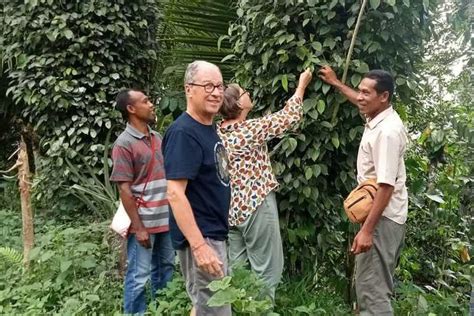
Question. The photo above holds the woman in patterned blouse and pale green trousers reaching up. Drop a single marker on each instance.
(254, 234)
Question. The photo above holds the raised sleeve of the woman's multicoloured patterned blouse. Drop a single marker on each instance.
(277, 123)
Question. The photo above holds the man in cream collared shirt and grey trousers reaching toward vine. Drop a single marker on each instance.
(378, 243)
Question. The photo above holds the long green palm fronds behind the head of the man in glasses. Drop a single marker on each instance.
(191, 30)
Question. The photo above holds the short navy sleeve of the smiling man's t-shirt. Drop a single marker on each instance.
(182, 155)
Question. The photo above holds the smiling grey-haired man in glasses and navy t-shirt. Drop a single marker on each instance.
(198, 186)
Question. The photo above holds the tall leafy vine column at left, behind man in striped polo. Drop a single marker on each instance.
(67, 61)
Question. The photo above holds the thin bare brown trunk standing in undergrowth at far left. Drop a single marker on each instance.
(26, 209)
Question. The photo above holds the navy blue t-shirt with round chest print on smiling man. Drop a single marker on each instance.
(194, 151)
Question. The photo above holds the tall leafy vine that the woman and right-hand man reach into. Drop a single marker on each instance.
(273, 42)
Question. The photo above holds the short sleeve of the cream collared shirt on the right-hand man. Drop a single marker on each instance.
(387, 152)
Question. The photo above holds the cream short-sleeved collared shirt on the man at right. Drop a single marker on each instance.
(380, 156)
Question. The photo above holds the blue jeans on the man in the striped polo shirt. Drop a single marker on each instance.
(156, 264)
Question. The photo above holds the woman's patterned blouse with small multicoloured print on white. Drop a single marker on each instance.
(250, 168)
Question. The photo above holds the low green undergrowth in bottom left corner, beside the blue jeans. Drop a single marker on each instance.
(72, 271)
